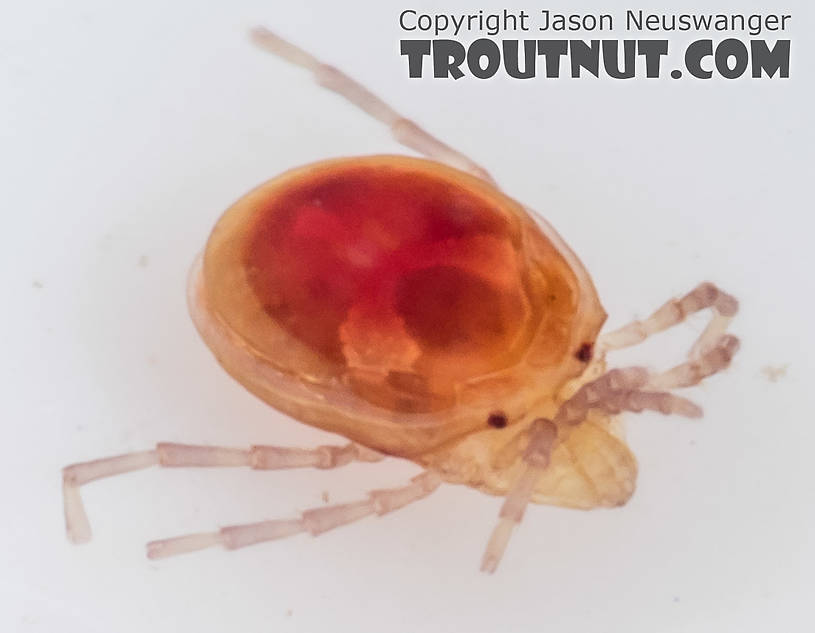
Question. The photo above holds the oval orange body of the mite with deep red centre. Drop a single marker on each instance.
(396, 300)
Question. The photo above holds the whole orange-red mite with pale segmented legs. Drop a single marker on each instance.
(411, 306)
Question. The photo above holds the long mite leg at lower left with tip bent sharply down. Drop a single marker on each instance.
(175, 455)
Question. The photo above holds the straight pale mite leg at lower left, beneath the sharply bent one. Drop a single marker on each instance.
(314, 521)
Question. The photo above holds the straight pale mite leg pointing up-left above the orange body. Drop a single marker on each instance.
(404, 130)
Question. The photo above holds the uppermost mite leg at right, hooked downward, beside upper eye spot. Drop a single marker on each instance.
(705, 295)
